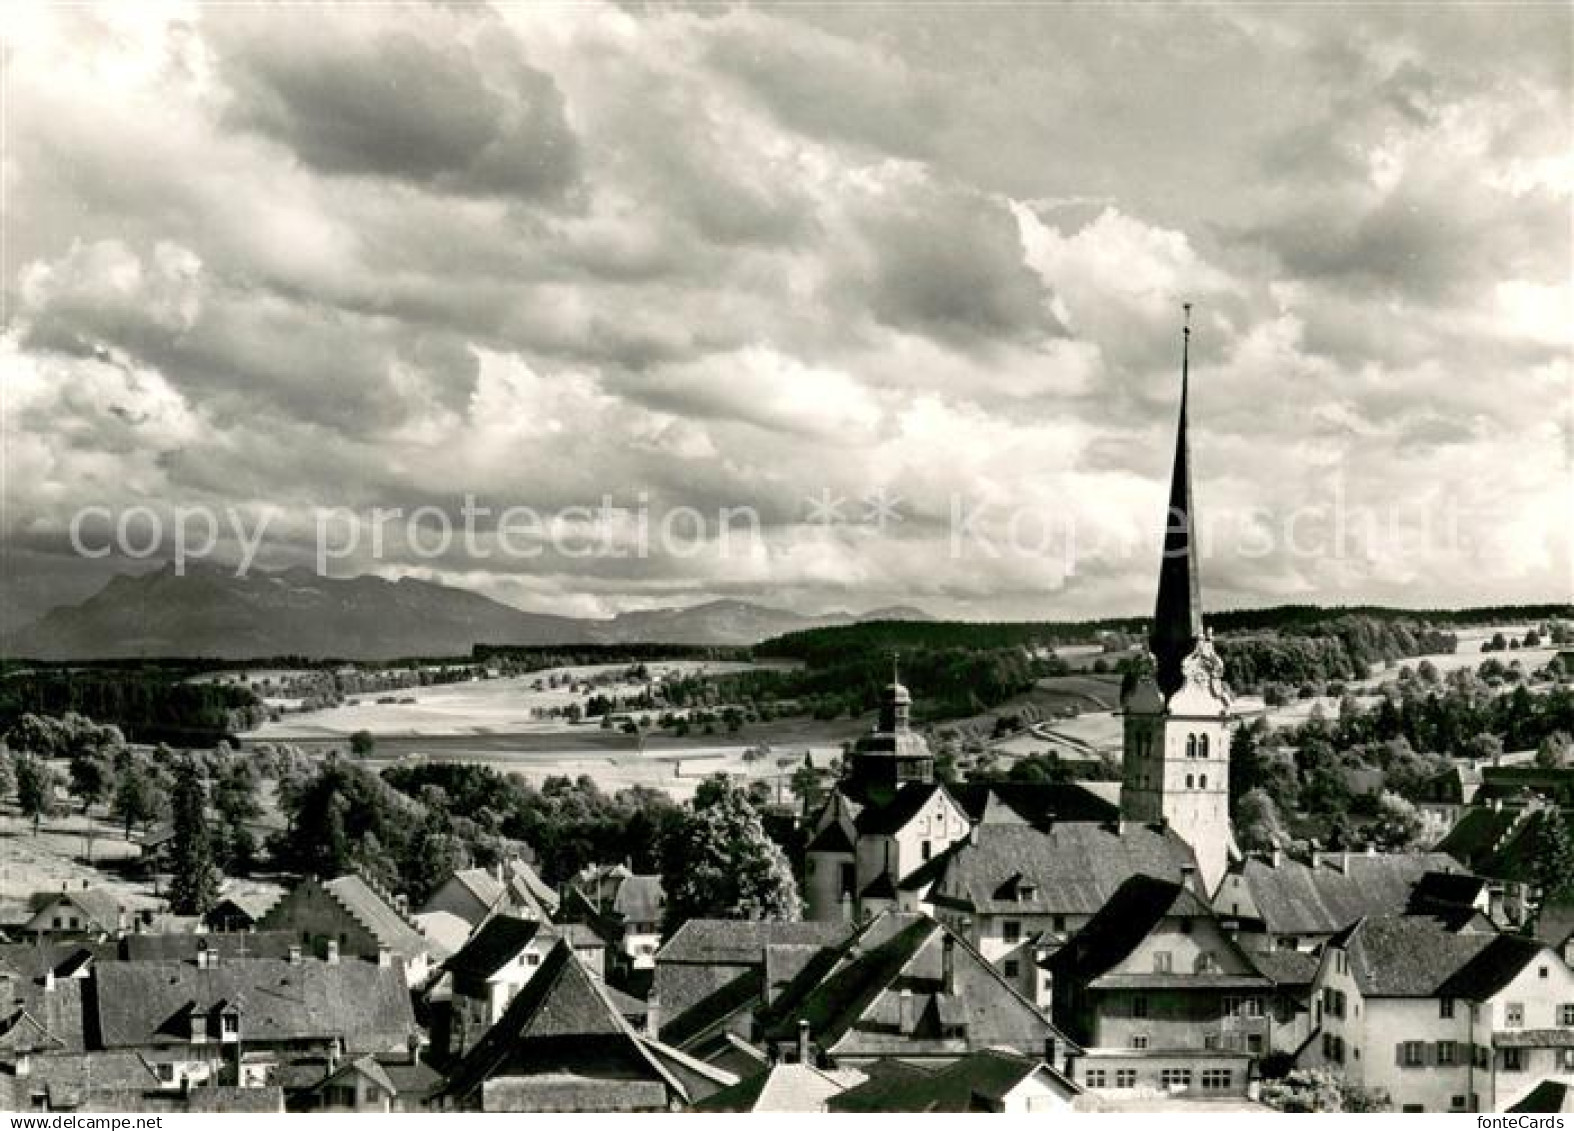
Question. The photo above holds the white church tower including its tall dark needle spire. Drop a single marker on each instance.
(1177, 712)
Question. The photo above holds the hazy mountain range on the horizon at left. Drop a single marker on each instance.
(295, 613)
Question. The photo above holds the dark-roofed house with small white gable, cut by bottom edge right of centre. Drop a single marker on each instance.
(985, 1081)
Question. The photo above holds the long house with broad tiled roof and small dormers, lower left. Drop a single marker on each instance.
(249, 1022)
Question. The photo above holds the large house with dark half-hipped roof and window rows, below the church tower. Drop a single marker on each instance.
(1162, 997)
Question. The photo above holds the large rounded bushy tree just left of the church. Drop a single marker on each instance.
(719, 863)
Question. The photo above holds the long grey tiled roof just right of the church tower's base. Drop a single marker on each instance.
(1301, 899)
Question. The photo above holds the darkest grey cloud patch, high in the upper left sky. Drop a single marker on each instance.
(375, 98)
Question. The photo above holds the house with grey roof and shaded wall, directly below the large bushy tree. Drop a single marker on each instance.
(715, 974)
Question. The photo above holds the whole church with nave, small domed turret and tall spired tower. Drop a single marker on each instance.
(895, 838)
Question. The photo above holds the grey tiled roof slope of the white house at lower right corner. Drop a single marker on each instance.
(1406, 956)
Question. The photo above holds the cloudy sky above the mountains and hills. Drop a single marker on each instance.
(273, 260)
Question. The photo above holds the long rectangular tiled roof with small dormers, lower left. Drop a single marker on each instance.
(142, 1004)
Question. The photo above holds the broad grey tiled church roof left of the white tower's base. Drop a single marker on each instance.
(1073, 868)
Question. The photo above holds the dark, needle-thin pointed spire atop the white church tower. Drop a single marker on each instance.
(1178, 616)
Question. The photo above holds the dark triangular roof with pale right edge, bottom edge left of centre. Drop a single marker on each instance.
(563, 1026)
